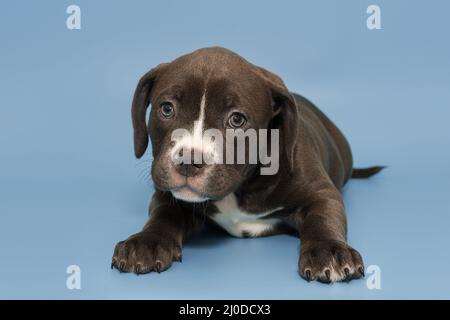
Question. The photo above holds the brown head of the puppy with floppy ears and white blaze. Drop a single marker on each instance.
(209, 90)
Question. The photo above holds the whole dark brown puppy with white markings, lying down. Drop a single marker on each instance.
(216, 88)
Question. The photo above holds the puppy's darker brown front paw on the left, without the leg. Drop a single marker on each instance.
(146, 252)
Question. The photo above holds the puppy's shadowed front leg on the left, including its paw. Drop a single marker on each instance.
(160, 241)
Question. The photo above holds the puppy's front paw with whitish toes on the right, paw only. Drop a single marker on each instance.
(330, 261)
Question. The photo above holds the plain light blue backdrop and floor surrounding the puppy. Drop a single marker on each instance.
(70, 187)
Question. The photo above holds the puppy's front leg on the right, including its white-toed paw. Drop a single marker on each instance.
(325, 254)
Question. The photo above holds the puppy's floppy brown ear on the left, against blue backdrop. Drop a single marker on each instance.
(141, 100)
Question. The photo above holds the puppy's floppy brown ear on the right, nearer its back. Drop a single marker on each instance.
(285, 106)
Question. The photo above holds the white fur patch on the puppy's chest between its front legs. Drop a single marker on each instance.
(238, 223)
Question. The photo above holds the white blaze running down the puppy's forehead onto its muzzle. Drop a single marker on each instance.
(193, 139)
